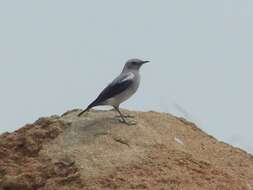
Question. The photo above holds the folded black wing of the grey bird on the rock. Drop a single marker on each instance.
(119, 85)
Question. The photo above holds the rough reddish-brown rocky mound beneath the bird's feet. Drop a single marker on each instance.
(96, 151)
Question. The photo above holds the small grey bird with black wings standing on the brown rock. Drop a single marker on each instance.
(121, 88)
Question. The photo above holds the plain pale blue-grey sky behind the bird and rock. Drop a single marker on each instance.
(57, 55)
